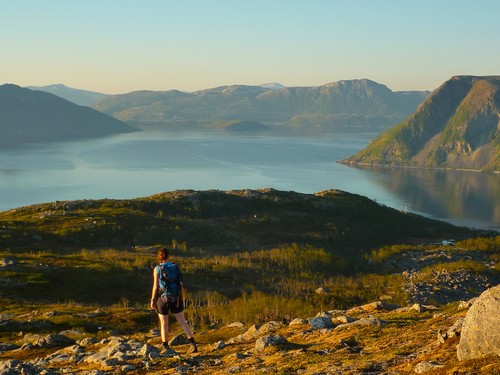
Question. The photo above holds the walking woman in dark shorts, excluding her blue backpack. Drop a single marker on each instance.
(163, 306)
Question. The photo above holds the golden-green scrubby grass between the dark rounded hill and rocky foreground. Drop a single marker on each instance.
(274, 284)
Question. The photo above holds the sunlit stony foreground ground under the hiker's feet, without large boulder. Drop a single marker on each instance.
(377, 338)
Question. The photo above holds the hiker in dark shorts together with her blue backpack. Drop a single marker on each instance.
(167, 297)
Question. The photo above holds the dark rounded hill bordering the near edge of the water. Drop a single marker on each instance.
(348, 223)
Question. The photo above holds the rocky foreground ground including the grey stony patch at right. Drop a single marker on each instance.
(377, 338)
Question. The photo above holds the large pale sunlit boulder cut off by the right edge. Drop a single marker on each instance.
(480, 334)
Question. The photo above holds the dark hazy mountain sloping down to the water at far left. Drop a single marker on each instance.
(37, 116)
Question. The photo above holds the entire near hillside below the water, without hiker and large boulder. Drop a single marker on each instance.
(278, 282)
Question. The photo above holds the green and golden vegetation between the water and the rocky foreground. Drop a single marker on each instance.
(247, 255)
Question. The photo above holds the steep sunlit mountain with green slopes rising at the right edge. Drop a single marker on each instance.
(457, 127)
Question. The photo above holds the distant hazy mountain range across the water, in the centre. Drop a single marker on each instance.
(355, 103)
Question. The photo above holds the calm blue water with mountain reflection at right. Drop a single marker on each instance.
(141, 164)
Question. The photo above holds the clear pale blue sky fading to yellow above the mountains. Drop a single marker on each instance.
(117, 46)
